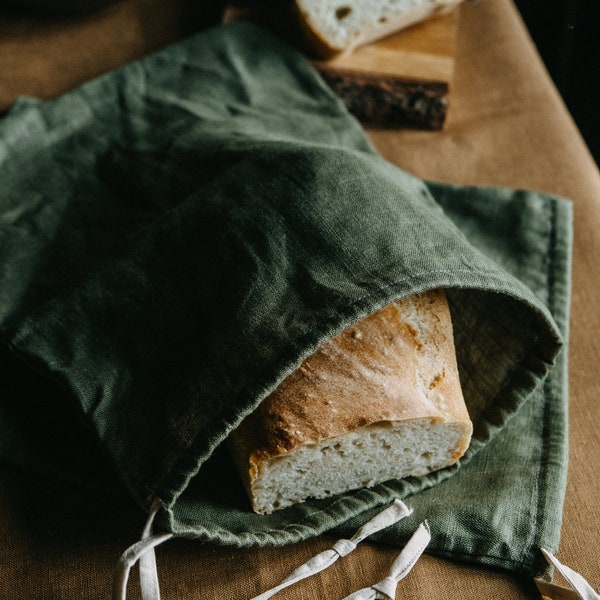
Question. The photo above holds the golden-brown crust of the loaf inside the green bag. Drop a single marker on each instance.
(394, 366)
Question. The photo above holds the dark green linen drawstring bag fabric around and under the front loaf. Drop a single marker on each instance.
(177, 236)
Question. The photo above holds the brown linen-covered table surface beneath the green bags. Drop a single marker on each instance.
(506, 126)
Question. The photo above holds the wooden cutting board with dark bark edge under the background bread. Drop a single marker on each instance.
(402, 80)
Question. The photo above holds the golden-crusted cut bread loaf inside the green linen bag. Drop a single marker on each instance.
(382, 400)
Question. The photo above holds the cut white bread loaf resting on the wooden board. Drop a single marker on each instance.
(339, 26)
